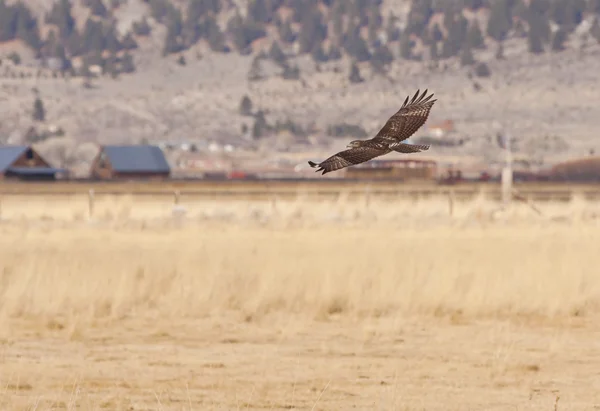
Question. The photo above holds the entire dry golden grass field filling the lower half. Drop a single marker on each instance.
(330, 305)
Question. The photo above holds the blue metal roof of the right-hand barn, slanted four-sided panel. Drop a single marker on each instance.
(142, 158)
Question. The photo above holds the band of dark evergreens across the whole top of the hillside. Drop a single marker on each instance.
(324, 29)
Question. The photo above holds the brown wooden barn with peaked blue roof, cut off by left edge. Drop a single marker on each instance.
(24, 163)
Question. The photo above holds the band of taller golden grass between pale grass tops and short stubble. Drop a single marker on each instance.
(95, 272)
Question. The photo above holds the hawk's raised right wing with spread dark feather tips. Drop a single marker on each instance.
(411, 116)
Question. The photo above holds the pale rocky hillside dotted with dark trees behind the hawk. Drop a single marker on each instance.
(292, 75)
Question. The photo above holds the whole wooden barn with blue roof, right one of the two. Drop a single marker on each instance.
(130, 162)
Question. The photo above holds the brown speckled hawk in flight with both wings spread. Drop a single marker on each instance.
(407, 120)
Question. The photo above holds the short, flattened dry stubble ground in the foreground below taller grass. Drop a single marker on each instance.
(445, 363)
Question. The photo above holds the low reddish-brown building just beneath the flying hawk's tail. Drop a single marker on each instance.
(412, 169)
